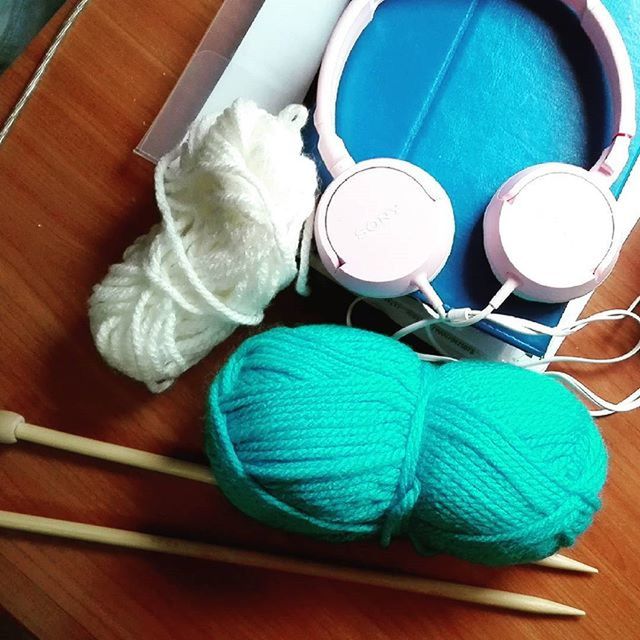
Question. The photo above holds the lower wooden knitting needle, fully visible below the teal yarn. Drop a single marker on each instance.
(144, 542)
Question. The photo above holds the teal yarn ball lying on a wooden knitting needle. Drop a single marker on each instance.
(346, 435)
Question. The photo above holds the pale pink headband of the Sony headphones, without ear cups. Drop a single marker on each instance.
(597, 23)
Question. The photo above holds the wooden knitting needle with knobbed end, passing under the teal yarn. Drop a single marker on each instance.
(13, 428)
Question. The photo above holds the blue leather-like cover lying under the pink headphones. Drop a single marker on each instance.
(474, 91)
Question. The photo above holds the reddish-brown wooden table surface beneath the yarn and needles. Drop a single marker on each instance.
(73, 197)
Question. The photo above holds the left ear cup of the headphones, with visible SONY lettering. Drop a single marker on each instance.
(383, 226)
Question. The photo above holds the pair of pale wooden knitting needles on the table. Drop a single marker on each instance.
(14, 429)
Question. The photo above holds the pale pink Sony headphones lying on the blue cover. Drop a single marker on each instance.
(385, 228)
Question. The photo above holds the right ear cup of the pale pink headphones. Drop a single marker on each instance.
(551, 229)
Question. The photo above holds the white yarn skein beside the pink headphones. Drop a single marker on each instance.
(234, 197)
